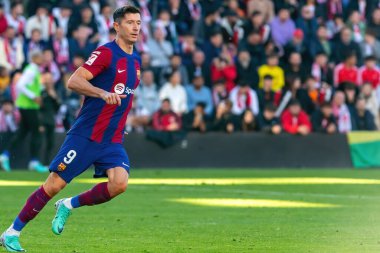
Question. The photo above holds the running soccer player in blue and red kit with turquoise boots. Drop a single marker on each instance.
(107, 80)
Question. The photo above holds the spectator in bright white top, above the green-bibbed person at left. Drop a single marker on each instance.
(42, 21)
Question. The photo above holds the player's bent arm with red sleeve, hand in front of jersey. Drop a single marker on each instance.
(79, 81)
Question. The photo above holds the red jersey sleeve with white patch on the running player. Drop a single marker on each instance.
(99, 60)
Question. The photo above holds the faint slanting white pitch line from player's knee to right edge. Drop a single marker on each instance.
(273, 193)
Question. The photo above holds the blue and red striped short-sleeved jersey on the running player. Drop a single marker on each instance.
(114, 71)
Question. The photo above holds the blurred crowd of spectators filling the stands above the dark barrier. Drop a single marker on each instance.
(208, 65)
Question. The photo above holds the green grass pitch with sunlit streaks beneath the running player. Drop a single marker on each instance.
(207, 210)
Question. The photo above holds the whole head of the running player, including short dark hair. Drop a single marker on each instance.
(127, 23)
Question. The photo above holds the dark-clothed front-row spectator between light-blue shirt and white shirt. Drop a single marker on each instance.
(225, 120)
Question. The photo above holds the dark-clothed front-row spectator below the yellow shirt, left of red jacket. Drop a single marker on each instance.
(267, 121)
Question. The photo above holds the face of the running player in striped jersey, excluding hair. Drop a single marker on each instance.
(129, 27)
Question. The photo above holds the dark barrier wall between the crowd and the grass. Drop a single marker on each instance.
(240, 150)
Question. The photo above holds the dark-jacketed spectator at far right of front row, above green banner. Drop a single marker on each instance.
(364, 120)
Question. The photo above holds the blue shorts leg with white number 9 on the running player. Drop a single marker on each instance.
(74, 157)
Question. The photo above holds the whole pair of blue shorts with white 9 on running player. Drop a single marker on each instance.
(78, 153)
